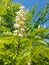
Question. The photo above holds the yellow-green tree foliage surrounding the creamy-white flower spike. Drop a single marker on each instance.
(15, 50)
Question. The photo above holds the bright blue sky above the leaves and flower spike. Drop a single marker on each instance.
(29, 3)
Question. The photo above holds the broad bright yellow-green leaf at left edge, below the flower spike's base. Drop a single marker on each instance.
(8, 38)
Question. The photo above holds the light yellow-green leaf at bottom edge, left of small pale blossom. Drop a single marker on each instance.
(25, 58)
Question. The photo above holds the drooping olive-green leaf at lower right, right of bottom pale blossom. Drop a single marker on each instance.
(35, 53)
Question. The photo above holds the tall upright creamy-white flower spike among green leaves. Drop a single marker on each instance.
(19, 22)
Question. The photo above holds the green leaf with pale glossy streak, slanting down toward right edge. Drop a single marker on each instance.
(37, 40)
